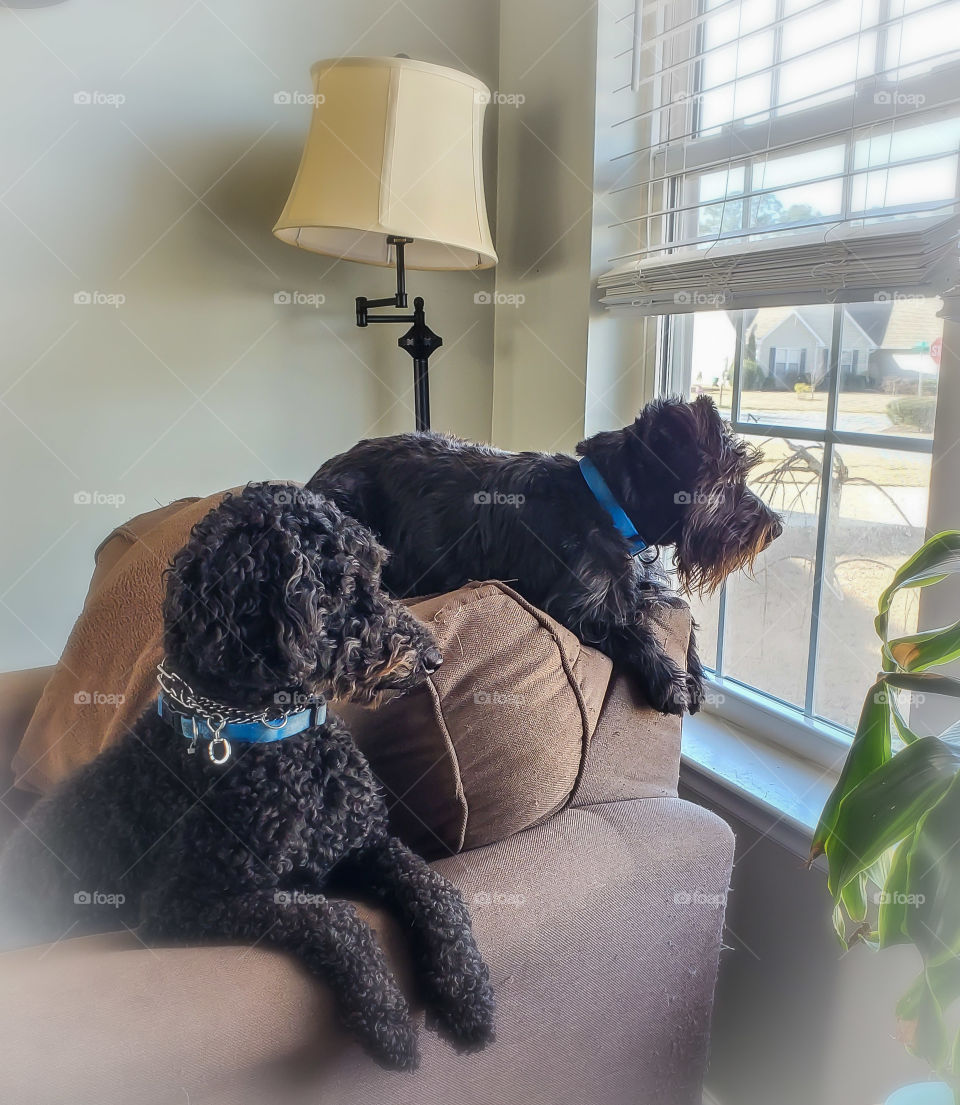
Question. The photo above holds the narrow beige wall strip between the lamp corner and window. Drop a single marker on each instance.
(545, 212)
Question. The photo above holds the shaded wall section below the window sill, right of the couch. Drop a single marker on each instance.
(797, 1020)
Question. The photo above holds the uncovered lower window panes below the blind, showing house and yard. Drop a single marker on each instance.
(846, 459)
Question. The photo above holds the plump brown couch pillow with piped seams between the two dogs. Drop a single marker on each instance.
(495, 741)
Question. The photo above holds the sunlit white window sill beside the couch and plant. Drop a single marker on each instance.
(768, 787)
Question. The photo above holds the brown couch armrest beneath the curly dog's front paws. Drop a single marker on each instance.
(602, 929)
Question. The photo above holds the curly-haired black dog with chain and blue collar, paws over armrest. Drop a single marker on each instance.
(210, 822)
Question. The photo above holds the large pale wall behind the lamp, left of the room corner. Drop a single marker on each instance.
(199, 381)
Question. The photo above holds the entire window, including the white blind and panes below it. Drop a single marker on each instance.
(783, 199)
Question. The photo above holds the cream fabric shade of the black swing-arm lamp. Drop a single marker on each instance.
(394, 150)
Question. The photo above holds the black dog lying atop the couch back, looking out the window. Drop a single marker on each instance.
(566, 536)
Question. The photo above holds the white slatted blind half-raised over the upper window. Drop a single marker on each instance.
(775, 152)
